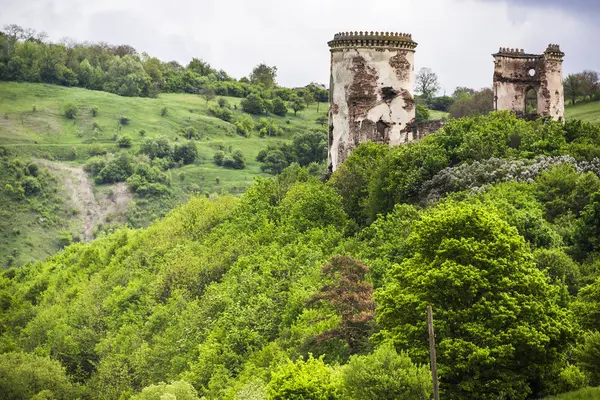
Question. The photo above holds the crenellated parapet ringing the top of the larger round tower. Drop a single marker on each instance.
(383, 40)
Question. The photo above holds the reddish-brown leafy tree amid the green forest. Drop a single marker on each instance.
(351, 297)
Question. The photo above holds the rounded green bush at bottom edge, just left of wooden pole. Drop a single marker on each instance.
(385, 374)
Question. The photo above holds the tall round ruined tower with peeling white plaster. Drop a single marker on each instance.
(371, 91)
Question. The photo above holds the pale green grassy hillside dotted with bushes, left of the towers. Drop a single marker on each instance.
(33, 126)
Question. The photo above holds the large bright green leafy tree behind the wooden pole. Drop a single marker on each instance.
(462, 256)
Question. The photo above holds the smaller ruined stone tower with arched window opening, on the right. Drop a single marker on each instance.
(530, 85)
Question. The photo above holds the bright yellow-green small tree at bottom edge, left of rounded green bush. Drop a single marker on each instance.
(303, 380)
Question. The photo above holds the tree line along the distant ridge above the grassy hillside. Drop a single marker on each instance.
(27, 55)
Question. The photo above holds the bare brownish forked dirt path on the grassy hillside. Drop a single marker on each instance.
(79, 188)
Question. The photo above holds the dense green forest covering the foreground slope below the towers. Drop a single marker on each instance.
(305, 289)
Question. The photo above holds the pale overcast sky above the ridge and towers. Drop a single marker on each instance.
(456, 37)
